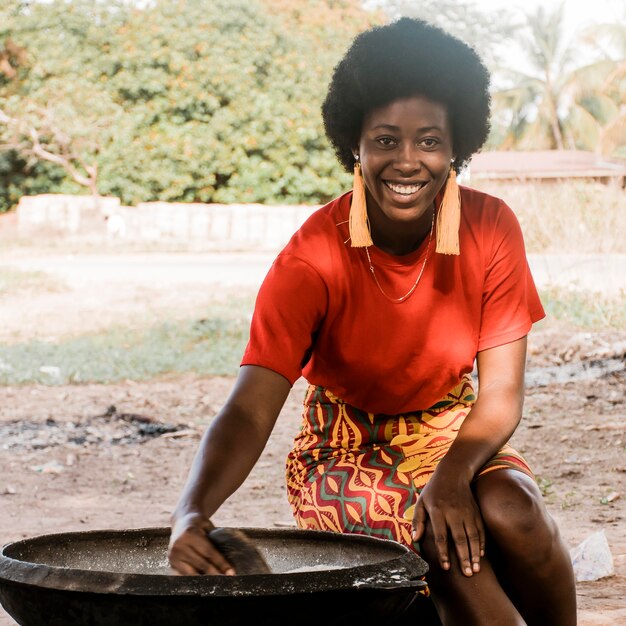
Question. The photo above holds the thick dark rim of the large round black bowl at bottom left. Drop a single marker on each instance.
(406, 566)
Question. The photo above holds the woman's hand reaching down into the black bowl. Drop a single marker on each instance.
(191, 553)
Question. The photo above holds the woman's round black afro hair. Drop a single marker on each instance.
(405, 58)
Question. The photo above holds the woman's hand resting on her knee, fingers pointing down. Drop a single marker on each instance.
(453, 512)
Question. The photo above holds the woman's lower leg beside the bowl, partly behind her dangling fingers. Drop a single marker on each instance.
(475, 601)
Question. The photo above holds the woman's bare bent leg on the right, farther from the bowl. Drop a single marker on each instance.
(525, 548)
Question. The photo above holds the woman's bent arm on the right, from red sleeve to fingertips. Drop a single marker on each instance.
(447, 499)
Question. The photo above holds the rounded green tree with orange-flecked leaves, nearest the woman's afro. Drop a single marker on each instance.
(215, 107)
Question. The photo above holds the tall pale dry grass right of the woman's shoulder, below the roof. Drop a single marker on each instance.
(569, 217)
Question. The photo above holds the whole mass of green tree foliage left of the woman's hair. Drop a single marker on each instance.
(180, 100)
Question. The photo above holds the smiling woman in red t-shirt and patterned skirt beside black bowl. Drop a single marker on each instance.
(384, 300)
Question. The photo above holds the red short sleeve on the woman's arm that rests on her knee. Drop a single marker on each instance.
(510, 303)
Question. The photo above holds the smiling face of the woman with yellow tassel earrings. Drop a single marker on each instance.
(405, 151)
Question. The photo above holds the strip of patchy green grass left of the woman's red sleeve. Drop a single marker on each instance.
(207, 346)
